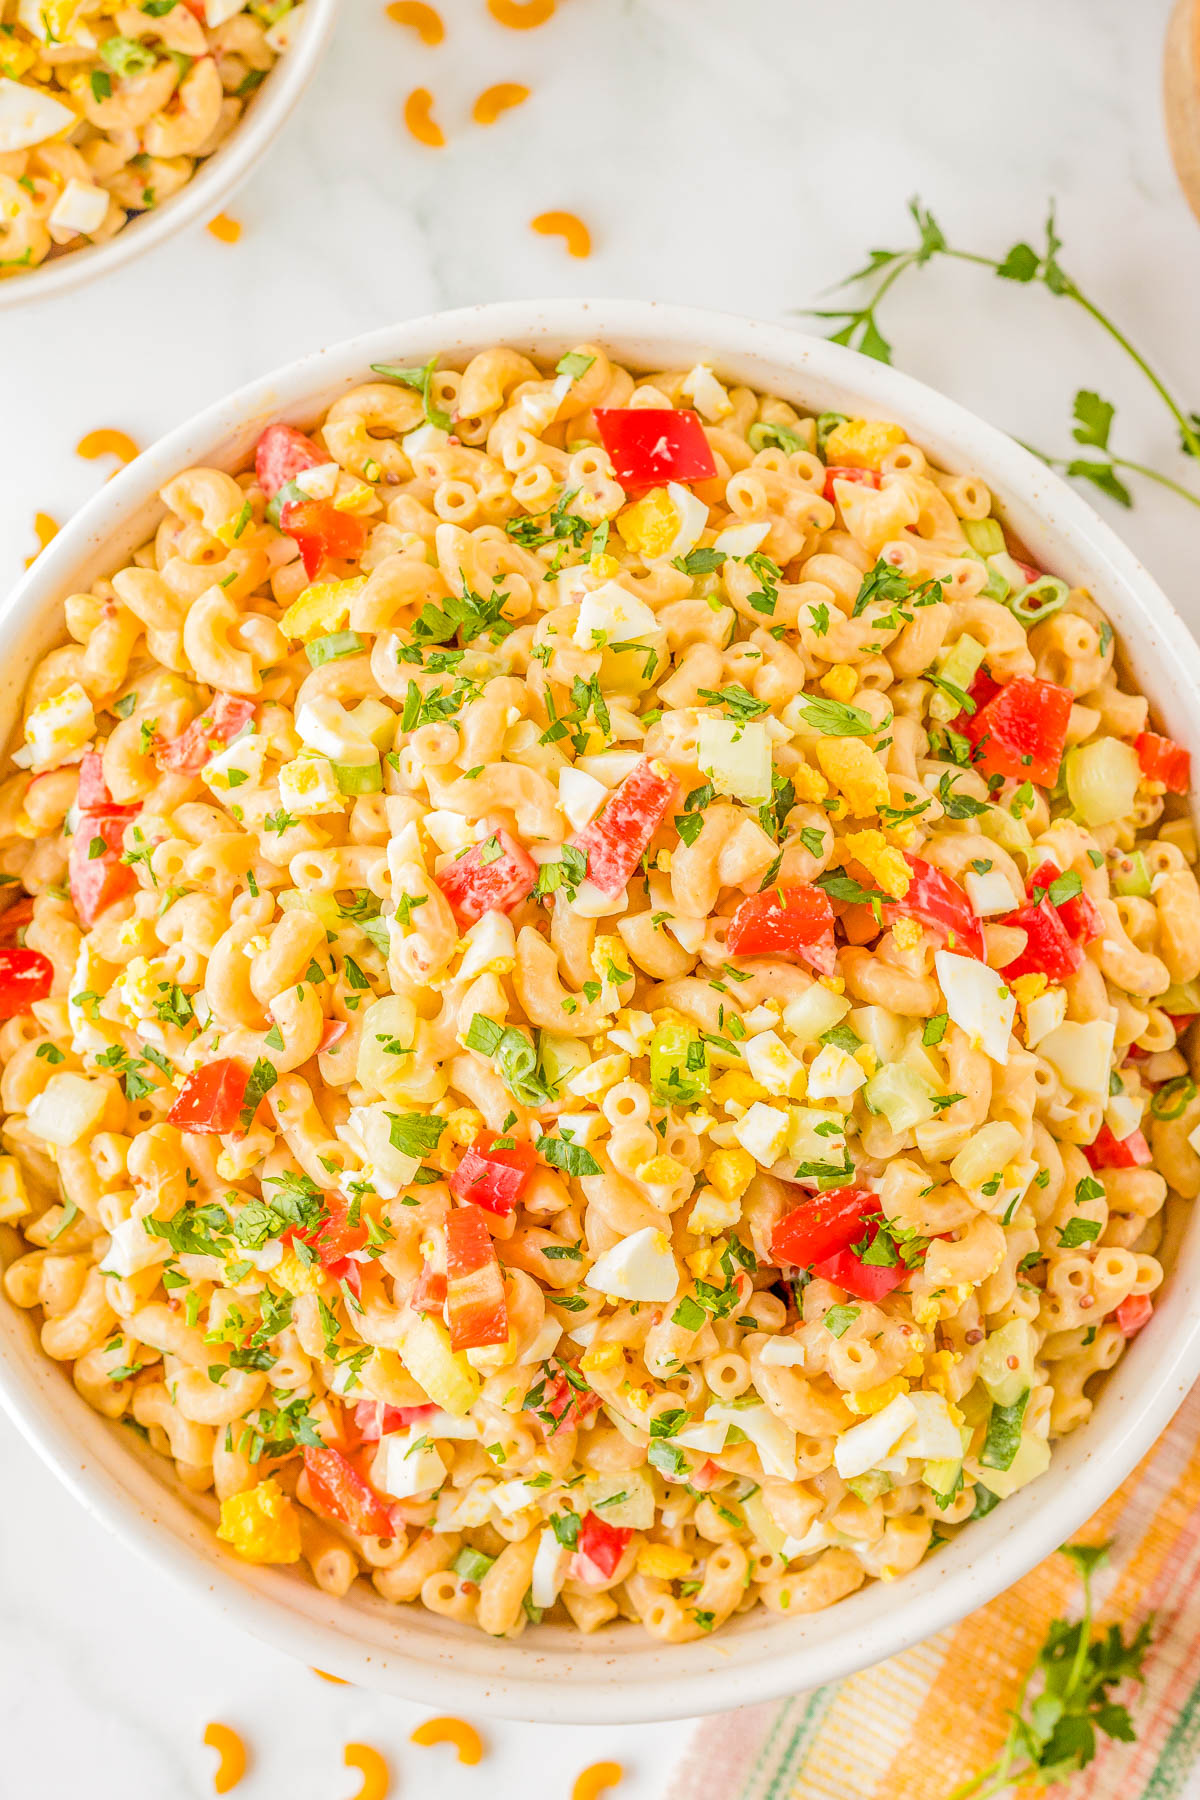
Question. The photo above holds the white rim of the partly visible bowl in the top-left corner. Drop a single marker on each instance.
(213, 183)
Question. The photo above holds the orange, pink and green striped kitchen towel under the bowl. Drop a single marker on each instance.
(918, 1725)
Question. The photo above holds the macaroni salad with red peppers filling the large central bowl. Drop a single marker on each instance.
(596, 982)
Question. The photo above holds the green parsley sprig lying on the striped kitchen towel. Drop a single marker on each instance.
(1055, 1734)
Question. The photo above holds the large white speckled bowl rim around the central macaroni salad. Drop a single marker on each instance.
(618, 1675)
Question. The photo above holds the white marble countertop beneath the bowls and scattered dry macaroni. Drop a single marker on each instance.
(739, 154)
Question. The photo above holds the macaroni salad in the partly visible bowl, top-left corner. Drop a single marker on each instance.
(109, 105)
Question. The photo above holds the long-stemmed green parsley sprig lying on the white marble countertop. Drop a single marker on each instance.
(1026, 265)
